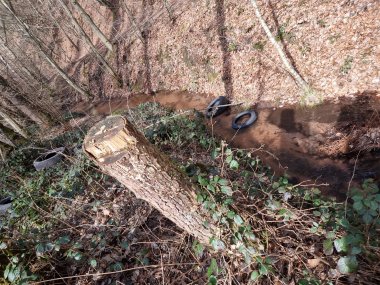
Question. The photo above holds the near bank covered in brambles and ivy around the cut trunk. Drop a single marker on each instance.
(73, 221)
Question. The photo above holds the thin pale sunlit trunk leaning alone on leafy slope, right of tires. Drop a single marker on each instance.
(302, 83)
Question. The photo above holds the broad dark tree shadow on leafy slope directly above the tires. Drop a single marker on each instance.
(223, 42)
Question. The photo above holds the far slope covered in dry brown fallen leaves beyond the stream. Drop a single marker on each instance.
(219, 48)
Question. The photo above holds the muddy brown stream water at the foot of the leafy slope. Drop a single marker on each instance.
(289, 139)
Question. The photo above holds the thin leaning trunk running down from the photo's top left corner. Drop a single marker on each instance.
(48, 58)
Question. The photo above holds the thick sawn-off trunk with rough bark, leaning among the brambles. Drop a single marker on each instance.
(124, 153)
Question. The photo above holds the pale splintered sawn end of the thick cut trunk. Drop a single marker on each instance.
(108, 138)
